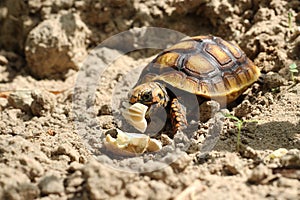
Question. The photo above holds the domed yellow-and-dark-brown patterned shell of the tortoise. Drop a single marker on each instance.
(207, 66)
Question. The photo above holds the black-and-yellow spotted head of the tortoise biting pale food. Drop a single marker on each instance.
(150, 93)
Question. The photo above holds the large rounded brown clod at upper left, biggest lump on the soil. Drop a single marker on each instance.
(56, 45)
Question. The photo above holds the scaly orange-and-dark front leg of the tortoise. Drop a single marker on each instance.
(178, 116)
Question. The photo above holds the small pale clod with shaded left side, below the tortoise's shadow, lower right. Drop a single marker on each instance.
(259, 173)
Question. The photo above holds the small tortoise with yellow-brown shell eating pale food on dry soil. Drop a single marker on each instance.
(206, 66)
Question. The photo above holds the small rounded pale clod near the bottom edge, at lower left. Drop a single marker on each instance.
(51, 185)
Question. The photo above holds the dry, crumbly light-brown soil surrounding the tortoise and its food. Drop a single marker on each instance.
(65, 69)
